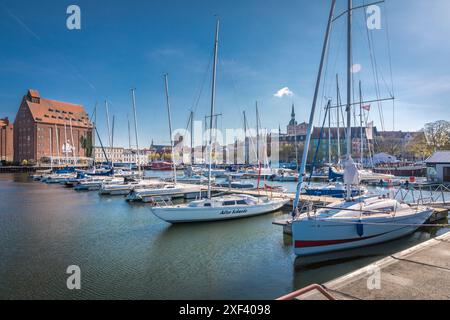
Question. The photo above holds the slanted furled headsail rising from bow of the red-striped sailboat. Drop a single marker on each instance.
(302, 172)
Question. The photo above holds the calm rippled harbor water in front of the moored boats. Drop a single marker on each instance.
(125, 252)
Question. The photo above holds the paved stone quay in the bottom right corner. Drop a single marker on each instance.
(418, 273)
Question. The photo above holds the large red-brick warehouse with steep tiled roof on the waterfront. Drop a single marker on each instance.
(47, 130)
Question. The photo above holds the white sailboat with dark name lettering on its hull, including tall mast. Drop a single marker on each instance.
(217, 208)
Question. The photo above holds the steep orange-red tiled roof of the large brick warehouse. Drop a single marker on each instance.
(56, 112)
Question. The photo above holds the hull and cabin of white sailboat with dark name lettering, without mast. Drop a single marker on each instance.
(218, 208)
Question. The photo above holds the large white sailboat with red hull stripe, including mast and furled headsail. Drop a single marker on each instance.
(350, 223)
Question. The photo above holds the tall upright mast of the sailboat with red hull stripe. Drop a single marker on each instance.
(349, 88)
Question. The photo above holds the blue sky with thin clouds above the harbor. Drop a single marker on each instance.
(269, 52)
